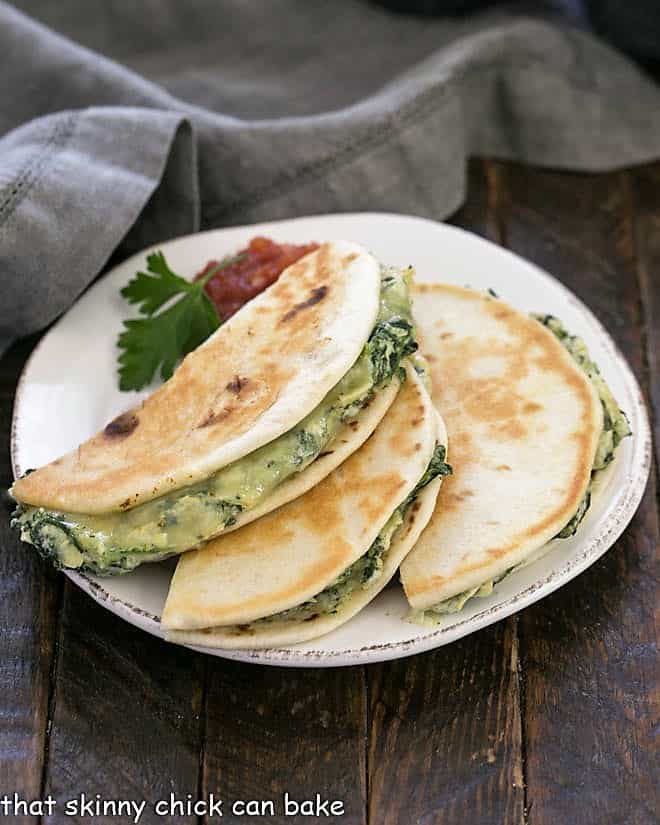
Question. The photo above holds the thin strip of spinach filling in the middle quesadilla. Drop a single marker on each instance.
(363, 572)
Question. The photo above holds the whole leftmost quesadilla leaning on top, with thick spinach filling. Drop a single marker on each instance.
(309, 365)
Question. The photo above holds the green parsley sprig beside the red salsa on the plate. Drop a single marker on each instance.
(161, 339)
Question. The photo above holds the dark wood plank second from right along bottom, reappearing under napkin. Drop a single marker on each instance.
(445, 733)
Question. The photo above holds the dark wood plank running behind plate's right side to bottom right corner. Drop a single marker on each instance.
(588, 652)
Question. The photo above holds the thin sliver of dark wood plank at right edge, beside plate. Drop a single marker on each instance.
(645, 195)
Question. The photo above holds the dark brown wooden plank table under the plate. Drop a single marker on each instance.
(545, 718)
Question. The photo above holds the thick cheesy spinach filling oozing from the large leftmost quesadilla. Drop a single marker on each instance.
(118, 542)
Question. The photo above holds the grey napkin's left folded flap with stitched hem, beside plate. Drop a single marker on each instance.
(72, 186)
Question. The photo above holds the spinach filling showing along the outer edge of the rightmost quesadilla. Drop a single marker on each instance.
(615, 429)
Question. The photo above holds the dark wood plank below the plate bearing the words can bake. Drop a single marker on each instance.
(276, 730)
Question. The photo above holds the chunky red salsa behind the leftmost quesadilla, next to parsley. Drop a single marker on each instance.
(260, 264)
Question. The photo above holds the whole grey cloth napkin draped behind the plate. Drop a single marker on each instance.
(122, 124)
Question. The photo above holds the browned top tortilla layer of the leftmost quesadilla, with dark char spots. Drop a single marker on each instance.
(255, 378)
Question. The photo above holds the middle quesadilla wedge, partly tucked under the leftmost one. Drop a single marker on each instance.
(306, 568)
